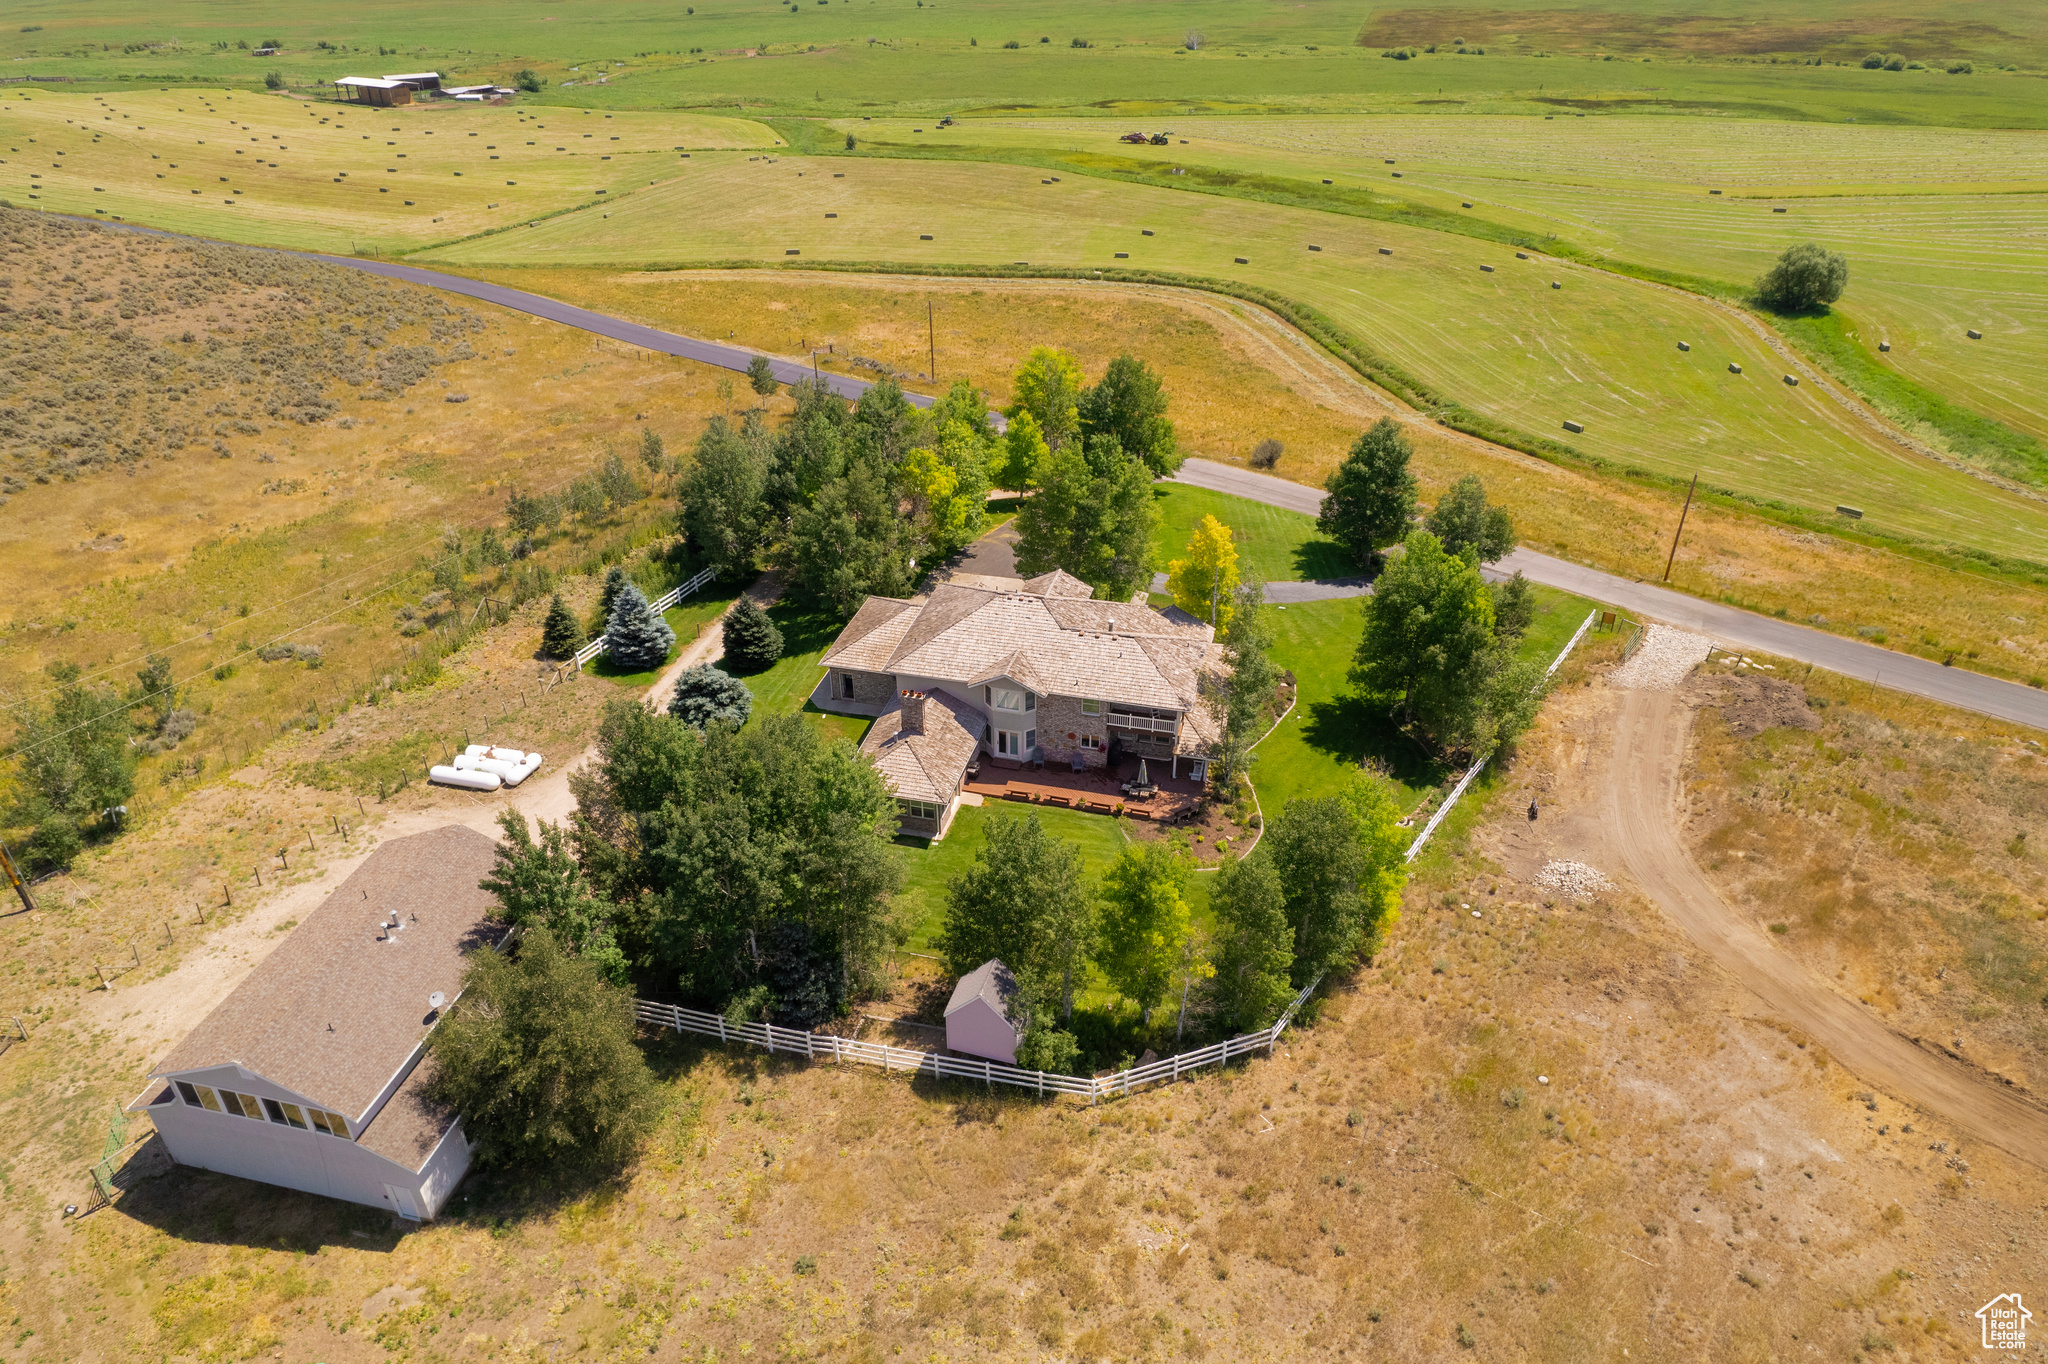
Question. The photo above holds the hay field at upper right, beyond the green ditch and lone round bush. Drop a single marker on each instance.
(1943, 226)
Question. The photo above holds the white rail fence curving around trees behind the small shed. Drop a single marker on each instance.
(826, 1048)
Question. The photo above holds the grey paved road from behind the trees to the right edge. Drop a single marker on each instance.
(1727, 626)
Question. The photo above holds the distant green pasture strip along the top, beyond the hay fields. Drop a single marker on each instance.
(1744, 60)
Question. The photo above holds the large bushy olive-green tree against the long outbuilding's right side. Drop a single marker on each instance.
(540, 1058)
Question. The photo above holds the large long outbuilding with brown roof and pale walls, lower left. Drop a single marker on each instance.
(310, 1074)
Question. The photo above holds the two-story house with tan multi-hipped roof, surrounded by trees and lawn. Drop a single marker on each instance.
(1037, 673)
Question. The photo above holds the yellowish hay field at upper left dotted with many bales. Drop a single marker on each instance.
(331, 177)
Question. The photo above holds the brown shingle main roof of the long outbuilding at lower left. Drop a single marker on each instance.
(335, 1011)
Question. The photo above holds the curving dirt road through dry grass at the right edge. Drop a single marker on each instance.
(1644, 835)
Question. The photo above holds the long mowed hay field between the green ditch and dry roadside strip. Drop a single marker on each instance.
(1601, 349)
